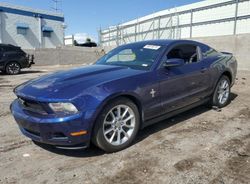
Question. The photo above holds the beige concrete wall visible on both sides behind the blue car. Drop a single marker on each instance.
(239, 45)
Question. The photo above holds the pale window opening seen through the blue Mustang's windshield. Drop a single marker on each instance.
(126, 55)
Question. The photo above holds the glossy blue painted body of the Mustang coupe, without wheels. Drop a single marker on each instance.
(91, 88)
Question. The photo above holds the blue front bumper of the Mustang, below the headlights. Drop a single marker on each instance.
(51, 129)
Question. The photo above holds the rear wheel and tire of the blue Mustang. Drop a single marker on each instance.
(221, 95)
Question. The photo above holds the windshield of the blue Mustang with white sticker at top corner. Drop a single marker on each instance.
(136, 56)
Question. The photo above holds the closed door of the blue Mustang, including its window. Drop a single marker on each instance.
(186, 84)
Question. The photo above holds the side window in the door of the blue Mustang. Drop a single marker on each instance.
(188, 52)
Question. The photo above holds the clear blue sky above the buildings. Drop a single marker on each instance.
(87, 16)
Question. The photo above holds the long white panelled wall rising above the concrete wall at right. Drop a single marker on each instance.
(201, 19)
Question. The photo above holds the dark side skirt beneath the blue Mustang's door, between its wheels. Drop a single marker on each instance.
(173, 113)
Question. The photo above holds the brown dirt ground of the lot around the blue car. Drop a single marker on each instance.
(199, 146)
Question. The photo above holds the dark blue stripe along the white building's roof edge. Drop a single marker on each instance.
(31, 14)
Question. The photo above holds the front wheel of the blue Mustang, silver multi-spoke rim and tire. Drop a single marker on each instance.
(114, 132)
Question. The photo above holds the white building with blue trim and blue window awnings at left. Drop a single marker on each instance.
(30, 28)
